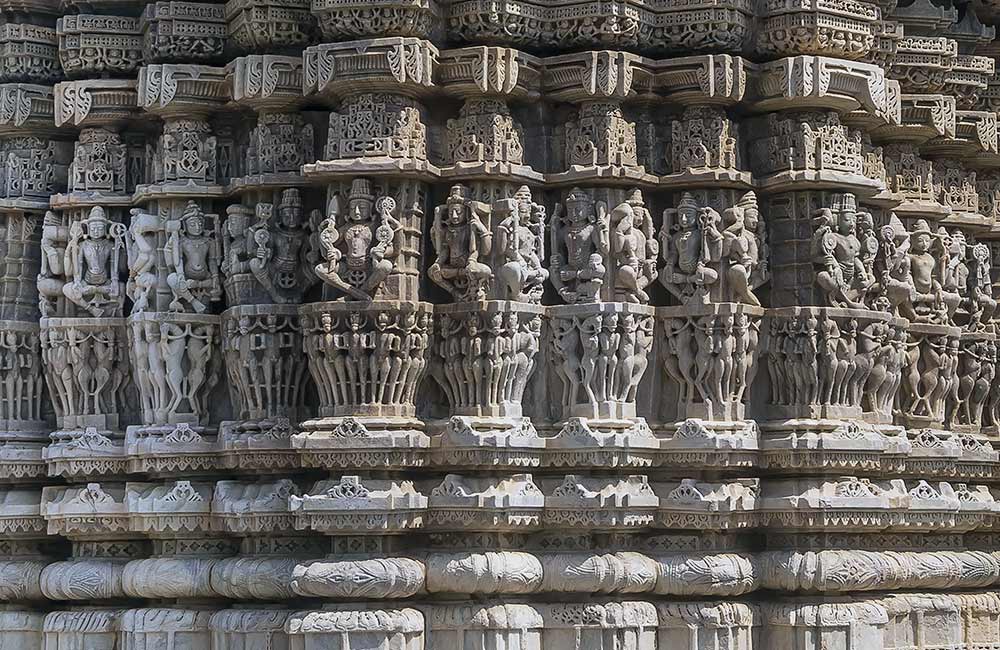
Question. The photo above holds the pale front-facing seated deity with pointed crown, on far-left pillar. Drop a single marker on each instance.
(93, 259)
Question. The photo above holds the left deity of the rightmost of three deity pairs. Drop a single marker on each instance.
(692, 246)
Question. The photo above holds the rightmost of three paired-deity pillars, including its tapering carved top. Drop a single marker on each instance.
(714, 243)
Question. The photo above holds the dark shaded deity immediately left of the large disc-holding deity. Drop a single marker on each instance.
(278, 263)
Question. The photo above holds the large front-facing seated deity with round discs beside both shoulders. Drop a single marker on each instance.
(359, 242)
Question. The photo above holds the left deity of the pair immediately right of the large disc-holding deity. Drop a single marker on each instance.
(462, 240)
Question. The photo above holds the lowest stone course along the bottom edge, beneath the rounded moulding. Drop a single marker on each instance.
(878, 623)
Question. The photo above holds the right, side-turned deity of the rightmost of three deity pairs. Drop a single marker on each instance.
(742, 242)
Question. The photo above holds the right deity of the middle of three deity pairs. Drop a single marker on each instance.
(634, 249)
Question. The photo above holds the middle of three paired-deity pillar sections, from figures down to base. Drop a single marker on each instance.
(599, 351)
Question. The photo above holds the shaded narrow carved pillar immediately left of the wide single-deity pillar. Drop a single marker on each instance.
(270, 248)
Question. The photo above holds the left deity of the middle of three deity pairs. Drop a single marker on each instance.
(580, 247)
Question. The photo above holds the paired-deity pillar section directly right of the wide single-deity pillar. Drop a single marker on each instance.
(488, 260)
